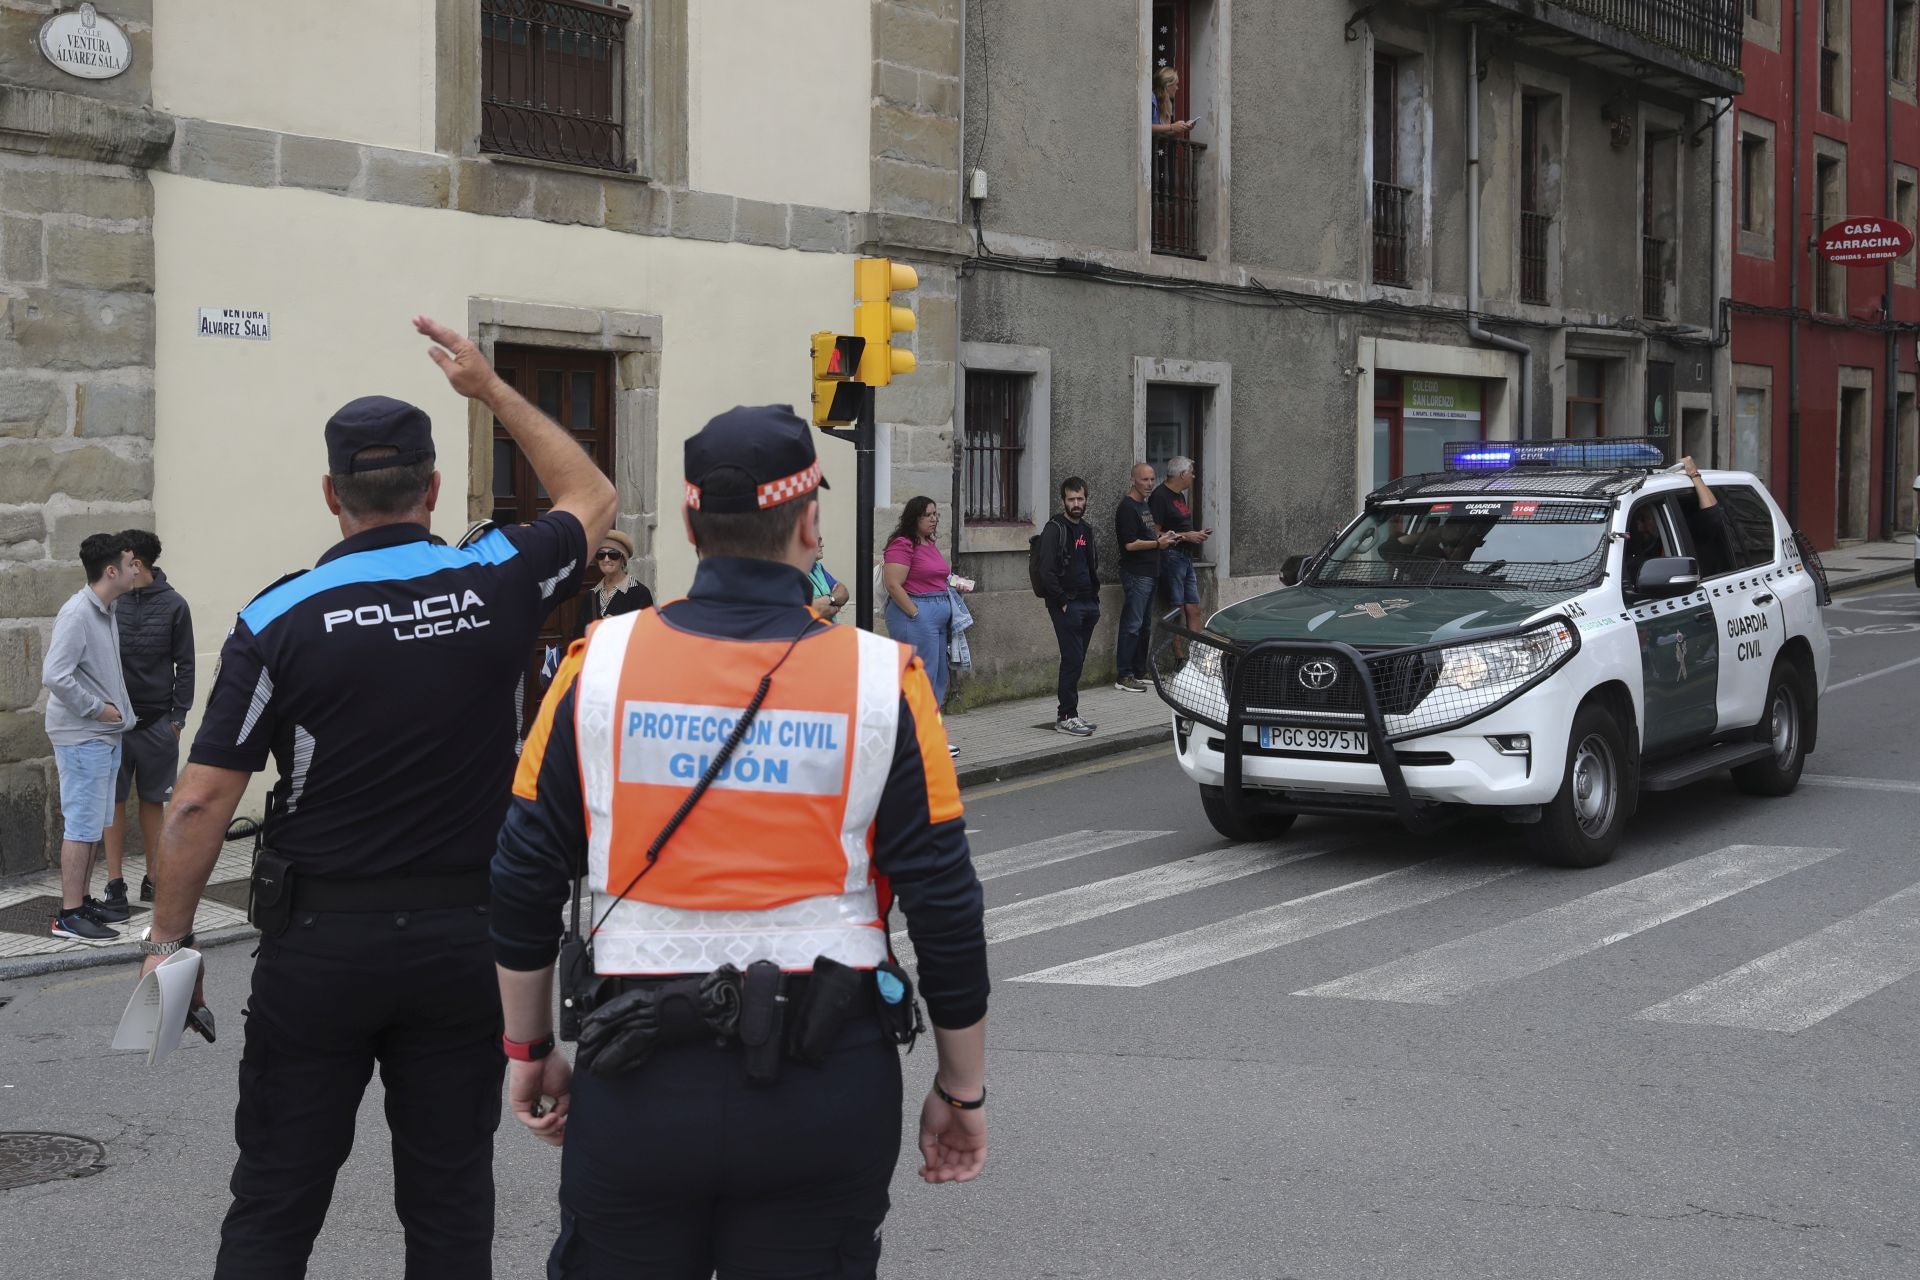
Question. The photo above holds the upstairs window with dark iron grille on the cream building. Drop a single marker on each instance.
(554, 82)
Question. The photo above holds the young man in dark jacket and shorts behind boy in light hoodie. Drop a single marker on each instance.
(158, 659)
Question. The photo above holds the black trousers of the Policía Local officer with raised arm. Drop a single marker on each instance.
(333, 997)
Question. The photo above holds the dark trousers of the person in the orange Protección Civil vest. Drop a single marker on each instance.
(684, 1170)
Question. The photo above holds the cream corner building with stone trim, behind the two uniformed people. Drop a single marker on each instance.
(343, 168)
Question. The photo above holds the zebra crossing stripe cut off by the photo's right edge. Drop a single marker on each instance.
(1812, 980)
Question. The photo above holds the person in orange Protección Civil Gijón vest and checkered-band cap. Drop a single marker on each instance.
(744, 790)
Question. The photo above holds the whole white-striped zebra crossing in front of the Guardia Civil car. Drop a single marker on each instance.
(1787, 991)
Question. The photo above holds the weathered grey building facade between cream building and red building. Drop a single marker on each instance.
(1289, 293)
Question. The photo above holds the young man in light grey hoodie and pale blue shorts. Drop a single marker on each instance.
(85, 719)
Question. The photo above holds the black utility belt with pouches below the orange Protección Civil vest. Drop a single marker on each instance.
(625, 1020)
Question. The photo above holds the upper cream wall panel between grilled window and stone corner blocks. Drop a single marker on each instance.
(782, 101)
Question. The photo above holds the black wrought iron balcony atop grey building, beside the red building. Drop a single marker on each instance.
(1685, 47)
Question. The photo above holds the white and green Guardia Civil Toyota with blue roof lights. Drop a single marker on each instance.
(1545, 630)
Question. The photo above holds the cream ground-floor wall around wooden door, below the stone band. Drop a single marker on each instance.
(237, 444)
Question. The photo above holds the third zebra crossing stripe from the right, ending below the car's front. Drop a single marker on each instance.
(1274, 926)
